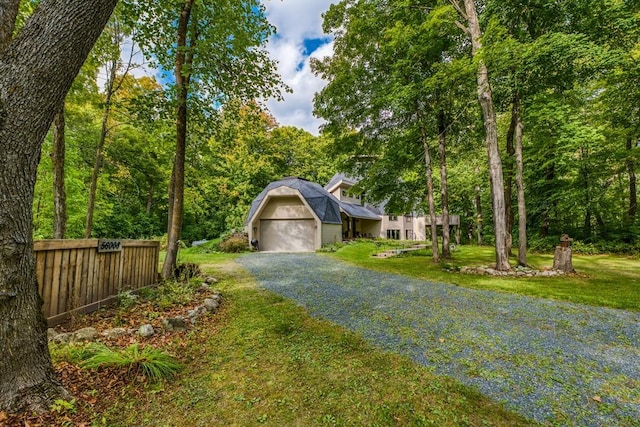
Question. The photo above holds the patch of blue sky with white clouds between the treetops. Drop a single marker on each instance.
(300, 36)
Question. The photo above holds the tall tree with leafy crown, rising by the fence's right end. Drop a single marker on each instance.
(216, 49)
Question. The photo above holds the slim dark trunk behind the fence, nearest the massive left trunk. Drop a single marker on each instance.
(57, 161)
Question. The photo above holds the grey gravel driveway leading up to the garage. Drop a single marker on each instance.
(554, 362)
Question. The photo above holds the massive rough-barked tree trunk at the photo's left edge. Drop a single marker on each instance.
(36, 71)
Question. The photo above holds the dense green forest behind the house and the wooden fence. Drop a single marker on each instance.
(402, 72)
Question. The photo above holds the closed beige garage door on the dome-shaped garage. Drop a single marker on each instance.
(287, 235)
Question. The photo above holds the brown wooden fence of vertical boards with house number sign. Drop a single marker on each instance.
(74, 276)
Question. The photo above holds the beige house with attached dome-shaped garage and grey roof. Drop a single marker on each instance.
(296, 215)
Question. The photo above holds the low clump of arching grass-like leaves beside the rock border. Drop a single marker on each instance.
(153, 364)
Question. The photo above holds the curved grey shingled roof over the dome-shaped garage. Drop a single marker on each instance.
(324, 204)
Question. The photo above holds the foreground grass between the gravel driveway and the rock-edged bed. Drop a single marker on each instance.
(267, 362)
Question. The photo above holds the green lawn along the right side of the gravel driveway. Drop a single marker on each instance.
(605, 280)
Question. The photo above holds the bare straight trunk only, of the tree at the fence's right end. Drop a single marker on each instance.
(182, 87)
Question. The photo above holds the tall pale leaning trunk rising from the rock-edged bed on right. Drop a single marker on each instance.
(485, 99)
